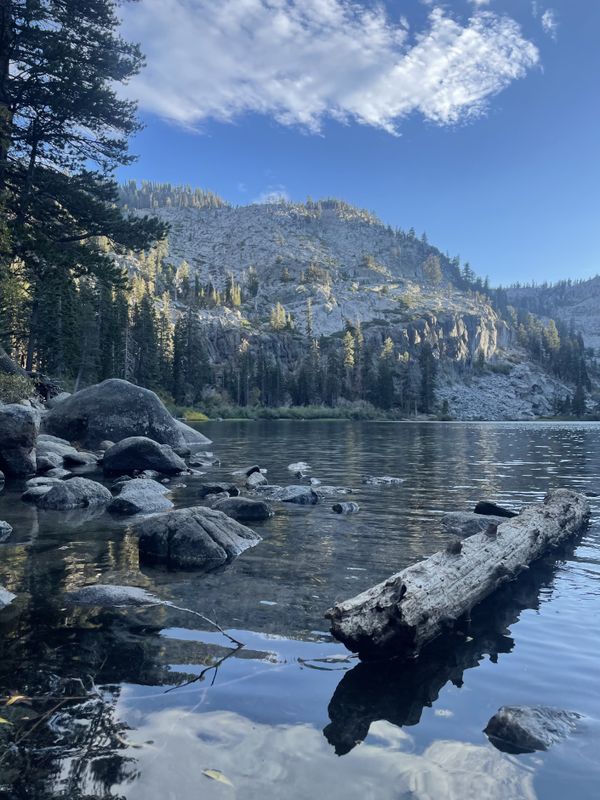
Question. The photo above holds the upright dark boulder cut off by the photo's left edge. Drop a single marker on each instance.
(19, 427)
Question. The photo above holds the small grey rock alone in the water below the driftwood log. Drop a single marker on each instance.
(524, 729)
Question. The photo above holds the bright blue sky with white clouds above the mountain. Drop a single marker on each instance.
(477, 122)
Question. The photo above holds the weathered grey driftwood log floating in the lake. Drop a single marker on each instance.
(409, 609)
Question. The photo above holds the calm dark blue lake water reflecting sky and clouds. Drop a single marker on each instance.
(136, 703)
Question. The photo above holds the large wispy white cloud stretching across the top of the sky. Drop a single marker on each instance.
(303, 61)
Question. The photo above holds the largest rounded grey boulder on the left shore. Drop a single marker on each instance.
(115, 410)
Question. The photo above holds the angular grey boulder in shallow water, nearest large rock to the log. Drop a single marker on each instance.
(193, 538)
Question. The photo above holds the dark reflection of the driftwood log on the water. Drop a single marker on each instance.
(397, 692)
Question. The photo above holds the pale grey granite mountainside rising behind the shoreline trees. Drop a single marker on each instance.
(330, 266)
